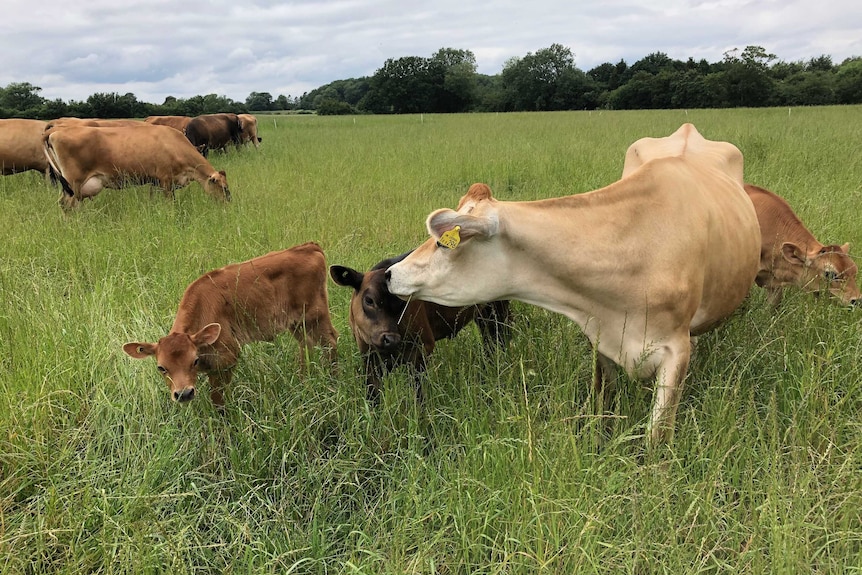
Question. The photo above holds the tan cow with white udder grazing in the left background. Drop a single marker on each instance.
(87, 159)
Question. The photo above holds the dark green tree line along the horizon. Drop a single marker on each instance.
(546, 80)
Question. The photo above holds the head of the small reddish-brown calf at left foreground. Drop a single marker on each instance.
(177, 358)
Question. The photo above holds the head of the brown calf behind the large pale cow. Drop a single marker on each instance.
(829, 269)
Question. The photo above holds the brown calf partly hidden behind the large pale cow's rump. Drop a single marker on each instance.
(791, 256)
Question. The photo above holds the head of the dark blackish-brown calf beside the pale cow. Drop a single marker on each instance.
(376, 316)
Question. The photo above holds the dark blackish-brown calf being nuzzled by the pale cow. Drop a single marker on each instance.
(389, 335)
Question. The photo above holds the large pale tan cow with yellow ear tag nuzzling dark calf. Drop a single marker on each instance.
(641, 265)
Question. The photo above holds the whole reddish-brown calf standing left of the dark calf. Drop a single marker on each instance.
(241, 303)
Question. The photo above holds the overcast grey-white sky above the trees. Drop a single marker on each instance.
(158, 48)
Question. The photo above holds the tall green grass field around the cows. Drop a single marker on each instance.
(503, 469)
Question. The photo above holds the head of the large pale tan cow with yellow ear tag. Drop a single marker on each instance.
(463, 262)
